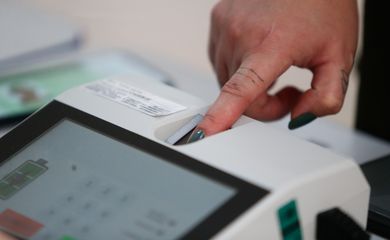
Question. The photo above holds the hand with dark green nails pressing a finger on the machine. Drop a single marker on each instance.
(252, 42)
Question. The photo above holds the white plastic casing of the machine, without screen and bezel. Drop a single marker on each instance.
(289, 168)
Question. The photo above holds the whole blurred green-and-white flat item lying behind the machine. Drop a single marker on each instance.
(24, 92)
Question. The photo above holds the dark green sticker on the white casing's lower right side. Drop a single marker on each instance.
(289, 221)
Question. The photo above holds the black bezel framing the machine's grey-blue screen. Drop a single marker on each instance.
(37, 124)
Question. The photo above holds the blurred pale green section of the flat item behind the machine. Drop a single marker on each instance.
(25, 92)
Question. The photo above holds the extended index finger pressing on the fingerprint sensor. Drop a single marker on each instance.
(256, 73)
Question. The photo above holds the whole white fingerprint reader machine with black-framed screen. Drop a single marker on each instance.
(98, 163)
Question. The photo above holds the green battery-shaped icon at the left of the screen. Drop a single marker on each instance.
(20, 177)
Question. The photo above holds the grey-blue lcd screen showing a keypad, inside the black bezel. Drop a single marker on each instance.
(76, 183)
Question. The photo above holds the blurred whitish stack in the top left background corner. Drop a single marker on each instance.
(28, 34)
